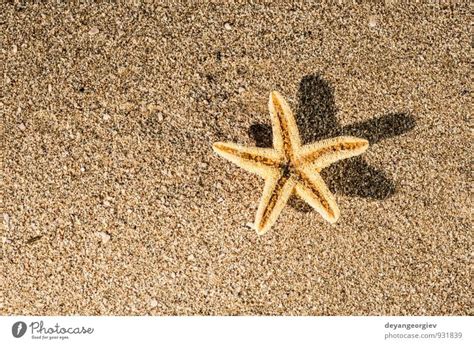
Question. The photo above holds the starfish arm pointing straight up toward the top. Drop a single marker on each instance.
(286, 139)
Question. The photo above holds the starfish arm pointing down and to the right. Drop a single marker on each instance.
(311, 188)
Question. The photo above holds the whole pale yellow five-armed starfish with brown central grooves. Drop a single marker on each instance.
(290, 167)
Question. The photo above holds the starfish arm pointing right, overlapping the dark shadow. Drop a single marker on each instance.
(325, 152)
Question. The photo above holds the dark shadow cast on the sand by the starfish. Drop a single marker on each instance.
(316, 119)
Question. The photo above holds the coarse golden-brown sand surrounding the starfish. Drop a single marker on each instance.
(114, 204)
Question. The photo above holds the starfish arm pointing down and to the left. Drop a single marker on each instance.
(276, 192)
